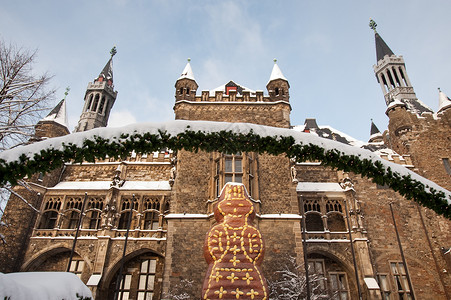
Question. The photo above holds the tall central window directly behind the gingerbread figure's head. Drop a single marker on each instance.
(239, 167)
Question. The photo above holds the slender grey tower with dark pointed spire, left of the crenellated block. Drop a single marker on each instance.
(99, 99)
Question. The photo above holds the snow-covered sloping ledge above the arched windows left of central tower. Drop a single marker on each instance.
(105, 185)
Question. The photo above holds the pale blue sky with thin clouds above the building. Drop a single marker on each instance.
(324, 48)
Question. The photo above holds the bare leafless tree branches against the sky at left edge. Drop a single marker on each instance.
(24, 97)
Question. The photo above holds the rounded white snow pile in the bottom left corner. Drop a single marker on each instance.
(42, 286)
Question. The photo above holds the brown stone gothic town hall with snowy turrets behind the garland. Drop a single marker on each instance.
(367, 241)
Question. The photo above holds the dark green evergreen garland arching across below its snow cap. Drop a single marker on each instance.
(226, 142)
